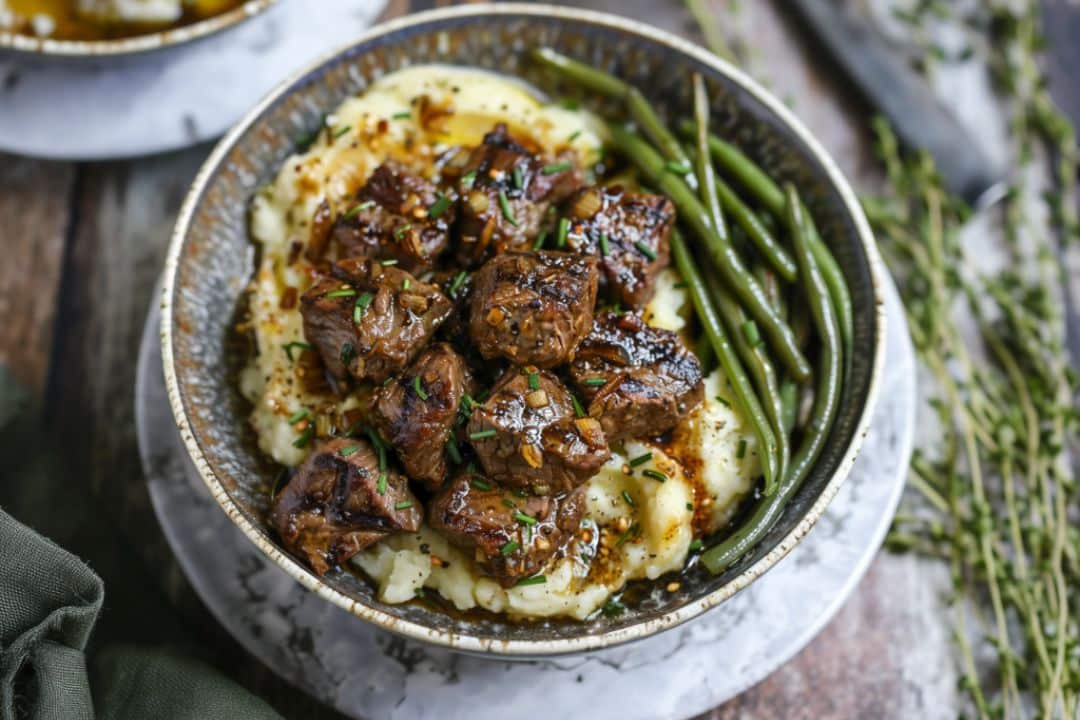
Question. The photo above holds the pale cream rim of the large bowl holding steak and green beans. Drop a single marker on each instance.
(456, 641)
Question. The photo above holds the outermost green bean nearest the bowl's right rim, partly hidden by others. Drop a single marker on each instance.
(768, 194)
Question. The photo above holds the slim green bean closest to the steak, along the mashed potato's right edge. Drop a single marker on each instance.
(749, 405)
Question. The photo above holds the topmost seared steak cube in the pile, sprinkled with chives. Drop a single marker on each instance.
(506, 191)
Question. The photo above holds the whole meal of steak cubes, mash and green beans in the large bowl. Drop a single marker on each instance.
(474, 356)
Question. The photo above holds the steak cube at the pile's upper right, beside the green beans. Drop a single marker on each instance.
(629, 233)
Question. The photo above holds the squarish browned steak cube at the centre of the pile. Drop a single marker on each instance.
(533, 308)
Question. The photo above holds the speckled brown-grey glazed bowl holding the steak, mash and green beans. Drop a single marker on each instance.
(211, 260)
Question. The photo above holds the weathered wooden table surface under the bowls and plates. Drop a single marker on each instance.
(84, 246)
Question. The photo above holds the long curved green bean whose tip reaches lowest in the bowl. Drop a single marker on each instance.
(827, 401)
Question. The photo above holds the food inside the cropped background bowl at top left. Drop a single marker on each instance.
(104, 20)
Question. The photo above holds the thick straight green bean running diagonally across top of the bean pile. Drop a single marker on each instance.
(732, 268)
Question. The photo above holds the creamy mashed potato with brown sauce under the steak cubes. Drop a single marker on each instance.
(637, 526)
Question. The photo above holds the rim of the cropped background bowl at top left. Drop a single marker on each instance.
(136, 45)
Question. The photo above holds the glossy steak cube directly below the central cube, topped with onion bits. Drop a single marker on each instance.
(528, 434)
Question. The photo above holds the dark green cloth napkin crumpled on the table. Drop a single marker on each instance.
(49, 604)
